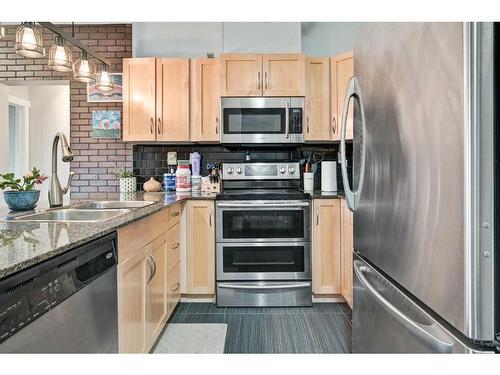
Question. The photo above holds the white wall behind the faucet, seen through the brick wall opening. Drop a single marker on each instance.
(50, 113)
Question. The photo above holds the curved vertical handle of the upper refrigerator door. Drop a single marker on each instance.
(353, 91)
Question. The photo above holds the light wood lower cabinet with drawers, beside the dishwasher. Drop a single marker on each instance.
(148, 278)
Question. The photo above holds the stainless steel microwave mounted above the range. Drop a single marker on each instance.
(262, 120)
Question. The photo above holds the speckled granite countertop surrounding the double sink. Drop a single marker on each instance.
(23, 244)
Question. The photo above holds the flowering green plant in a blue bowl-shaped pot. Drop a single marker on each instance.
(21, 195)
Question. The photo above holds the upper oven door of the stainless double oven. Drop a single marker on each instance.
(263, 221)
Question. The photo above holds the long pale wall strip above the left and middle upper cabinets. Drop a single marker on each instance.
(195, 39)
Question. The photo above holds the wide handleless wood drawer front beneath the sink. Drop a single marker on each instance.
(138, 234)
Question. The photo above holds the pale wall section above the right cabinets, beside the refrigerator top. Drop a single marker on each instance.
(329, 38)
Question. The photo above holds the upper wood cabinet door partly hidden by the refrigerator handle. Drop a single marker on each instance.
(342, 69)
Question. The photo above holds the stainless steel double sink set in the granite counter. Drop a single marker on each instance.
(90, 212)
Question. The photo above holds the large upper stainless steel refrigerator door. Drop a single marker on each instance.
(411, 143)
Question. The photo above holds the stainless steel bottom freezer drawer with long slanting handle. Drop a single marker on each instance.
(387, 321)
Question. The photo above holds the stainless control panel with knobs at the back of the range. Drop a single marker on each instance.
(261, 171)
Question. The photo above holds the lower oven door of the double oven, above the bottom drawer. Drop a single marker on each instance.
(264, 261)
